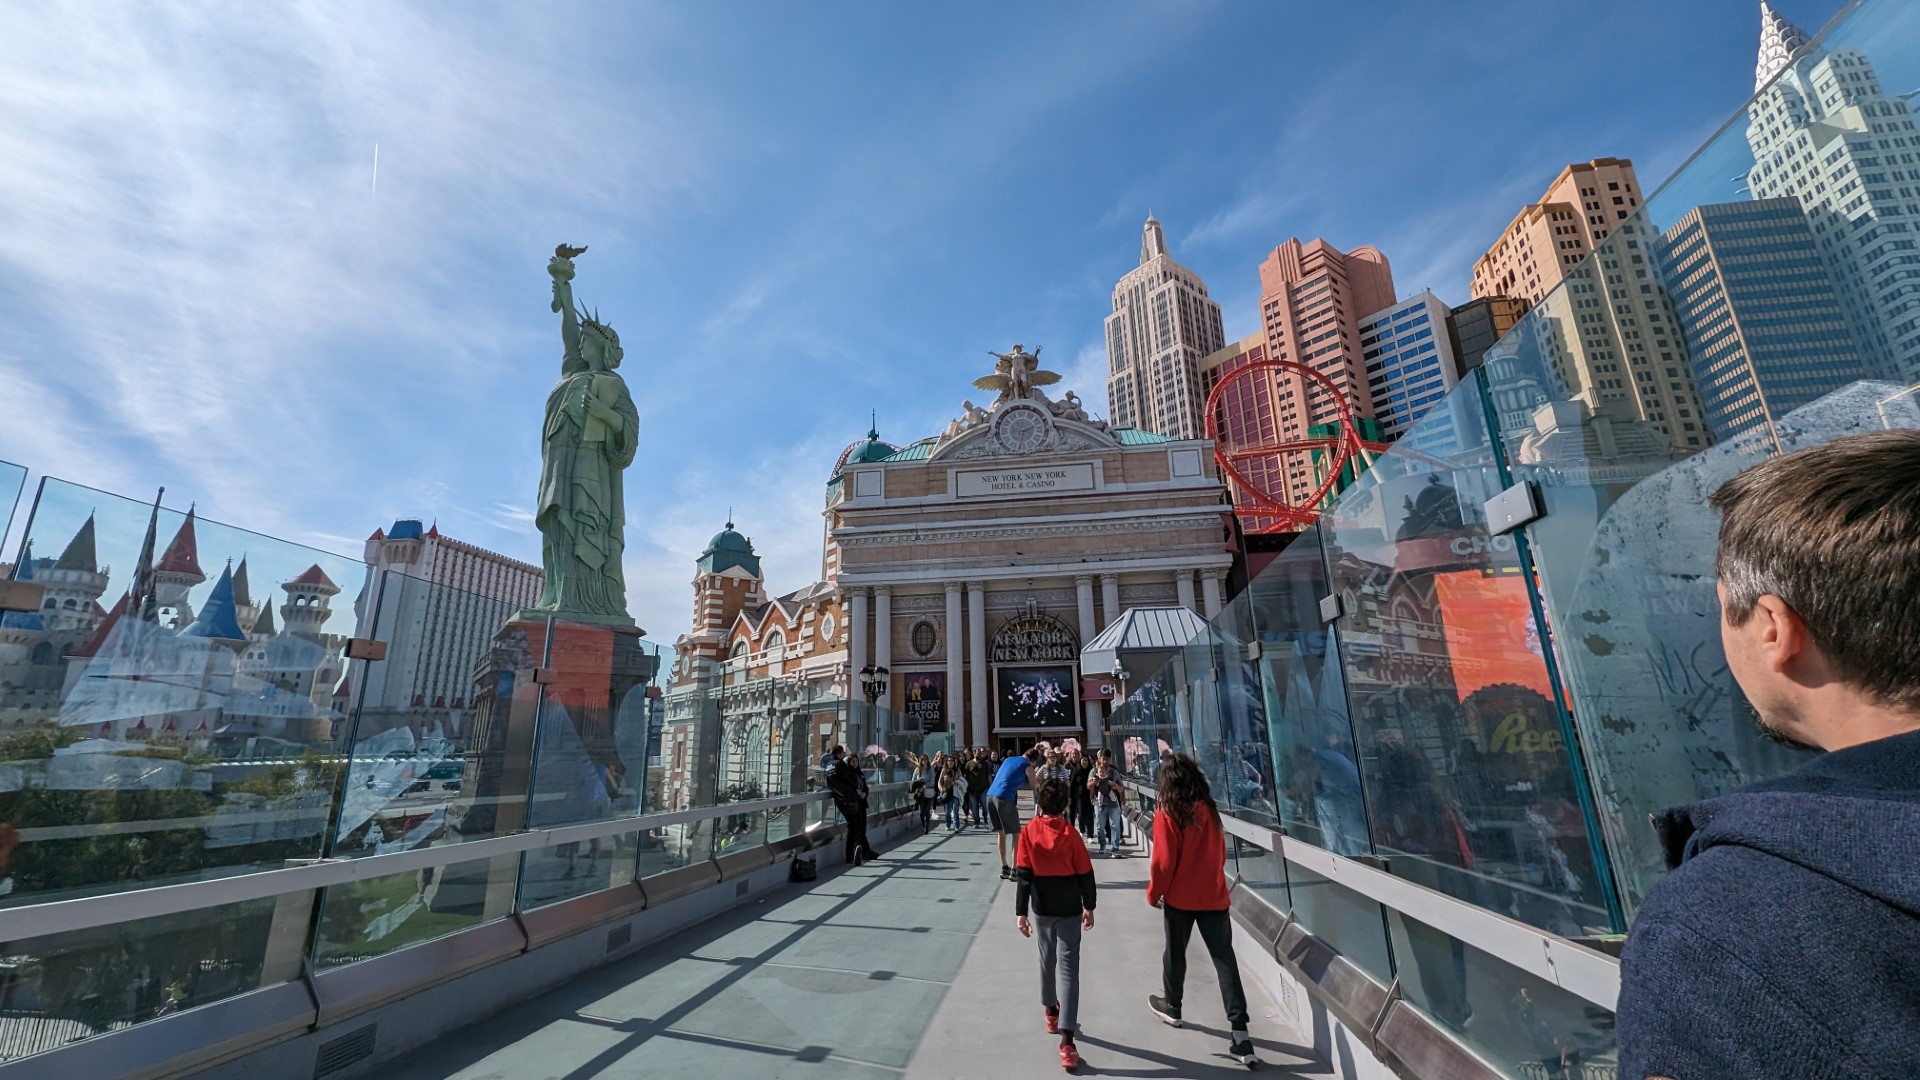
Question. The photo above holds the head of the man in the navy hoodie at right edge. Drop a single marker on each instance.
(1819, 572)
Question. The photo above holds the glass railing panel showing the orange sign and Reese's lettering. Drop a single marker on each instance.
(1468, 773)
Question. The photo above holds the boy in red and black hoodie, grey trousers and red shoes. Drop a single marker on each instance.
(1057, 879)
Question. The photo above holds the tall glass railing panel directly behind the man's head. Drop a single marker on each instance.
(1754, 307)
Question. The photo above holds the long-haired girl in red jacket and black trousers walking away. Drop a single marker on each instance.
(1188, 881)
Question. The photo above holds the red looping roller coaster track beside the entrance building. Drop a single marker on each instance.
(1276, 512)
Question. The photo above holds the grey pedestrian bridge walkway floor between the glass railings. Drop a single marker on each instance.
(903, 968)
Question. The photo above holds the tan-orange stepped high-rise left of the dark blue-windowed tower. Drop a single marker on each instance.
(1585, 258)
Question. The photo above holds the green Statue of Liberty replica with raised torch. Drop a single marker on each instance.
(587, 441)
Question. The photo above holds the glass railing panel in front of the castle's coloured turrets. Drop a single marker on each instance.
(180, 735)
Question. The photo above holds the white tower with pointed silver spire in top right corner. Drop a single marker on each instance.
(1827, 134)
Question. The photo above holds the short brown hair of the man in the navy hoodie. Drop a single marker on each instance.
(1835, 533)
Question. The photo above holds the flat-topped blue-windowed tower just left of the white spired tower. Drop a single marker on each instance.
(1765, 326)
